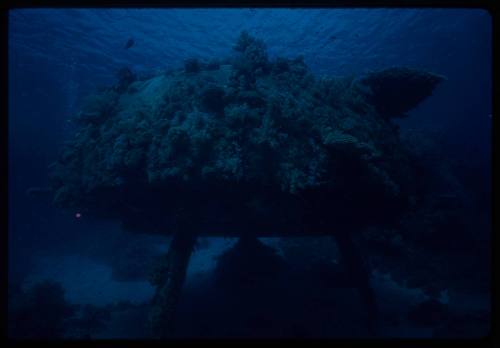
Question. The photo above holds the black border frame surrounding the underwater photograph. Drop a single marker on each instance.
(488, 341)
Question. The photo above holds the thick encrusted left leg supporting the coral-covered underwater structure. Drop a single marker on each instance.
(169, 280)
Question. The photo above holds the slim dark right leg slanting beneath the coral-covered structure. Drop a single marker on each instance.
(361, 276)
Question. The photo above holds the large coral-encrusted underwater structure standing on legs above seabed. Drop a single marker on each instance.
(245, 147)
